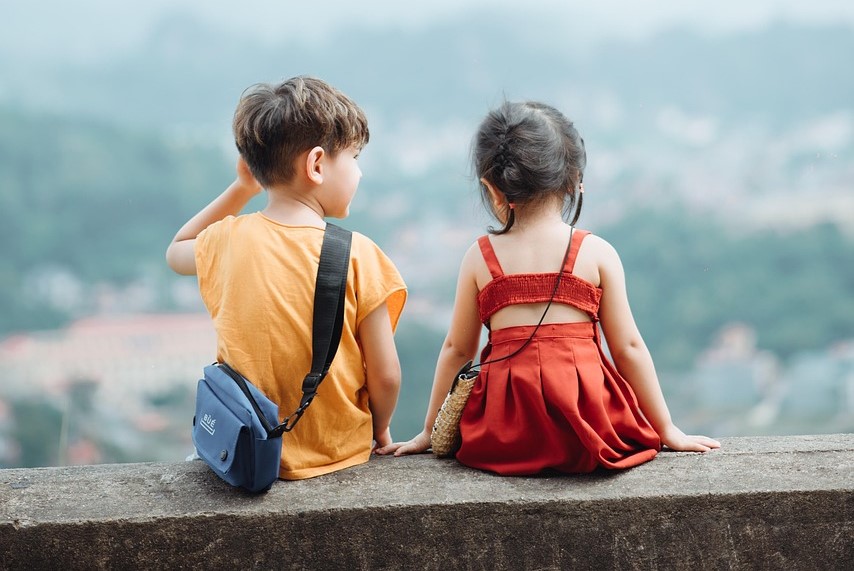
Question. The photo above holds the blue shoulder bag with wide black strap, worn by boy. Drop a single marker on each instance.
(232, 428)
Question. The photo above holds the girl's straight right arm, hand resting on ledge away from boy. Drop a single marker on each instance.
(631, 356)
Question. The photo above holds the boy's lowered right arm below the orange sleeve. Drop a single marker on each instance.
(382, 369)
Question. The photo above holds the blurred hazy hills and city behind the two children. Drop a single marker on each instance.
(720, 140)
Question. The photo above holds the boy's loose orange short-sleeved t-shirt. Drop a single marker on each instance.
(257, 280)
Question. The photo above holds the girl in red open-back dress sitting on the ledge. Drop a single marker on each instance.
(546, 397)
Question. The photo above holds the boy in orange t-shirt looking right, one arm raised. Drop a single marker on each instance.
(299, 140)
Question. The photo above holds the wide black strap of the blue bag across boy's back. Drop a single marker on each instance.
(328, 320)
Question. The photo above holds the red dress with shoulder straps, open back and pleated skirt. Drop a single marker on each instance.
(559, 404)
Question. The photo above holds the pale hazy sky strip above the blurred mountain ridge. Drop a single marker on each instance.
(96, 28)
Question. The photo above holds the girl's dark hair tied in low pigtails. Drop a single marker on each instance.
(530, 151)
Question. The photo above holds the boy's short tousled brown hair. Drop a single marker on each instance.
(275, 123)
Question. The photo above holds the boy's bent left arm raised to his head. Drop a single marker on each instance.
(180, 254)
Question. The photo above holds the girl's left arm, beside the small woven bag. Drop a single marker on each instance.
(460, 346)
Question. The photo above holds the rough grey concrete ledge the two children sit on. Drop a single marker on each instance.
(758, 503)
